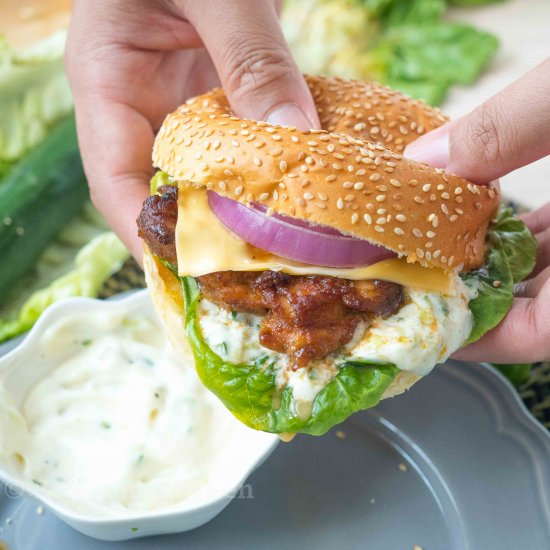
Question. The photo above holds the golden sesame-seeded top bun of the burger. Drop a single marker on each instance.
(350, 175)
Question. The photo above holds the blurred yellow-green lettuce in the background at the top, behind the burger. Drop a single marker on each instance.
(407, 45)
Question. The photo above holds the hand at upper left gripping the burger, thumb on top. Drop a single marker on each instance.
(130, 62)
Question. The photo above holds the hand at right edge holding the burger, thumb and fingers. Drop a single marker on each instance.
(508, 131)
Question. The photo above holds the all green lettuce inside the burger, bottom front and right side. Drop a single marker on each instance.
(251, 390)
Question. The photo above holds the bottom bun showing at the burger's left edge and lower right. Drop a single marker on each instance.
(166, 295)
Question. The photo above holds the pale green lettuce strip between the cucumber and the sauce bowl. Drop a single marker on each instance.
(94, 264)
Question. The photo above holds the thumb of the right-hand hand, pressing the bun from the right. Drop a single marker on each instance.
(508, 131)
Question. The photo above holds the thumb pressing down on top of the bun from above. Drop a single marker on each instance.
(256, 69)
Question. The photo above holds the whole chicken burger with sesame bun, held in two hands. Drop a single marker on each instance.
(310, 274)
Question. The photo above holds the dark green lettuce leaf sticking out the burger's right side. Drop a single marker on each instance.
(510, 257)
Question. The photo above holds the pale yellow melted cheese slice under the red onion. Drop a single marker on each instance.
(204, 245)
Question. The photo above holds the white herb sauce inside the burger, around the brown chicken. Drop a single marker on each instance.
(424, 332)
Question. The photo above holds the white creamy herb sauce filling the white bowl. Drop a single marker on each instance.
(121, 425)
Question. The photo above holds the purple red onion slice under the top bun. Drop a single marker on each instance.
(293, 239)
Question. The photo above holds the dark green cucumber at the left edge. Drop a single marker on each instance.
(38, 196)
